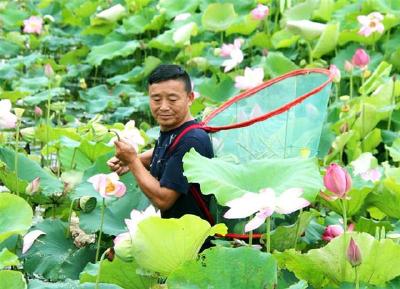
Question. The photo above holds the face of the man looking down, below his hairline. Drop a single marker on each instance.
(169, 103)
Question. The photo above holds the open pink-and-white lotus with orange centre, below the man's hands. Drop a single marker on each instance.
(108, 185)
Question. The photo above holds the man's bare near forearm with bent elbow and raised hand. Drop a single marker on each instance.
(162, 198)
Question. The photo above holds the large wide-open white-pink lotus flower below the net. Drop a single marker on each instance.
(264, 204)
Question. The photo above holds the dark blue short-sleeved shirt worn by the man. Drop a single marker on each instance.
(167, 167)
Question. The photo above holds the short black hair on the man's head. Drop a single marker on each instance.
(165, 72)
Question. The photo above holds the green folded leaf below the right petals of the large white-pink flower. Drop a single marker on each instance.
(284, 237)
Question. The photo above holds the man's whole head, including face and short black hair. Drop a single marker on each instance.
(171, 95)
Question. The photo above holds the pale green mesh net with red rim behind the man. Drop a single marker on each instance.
(280, 118)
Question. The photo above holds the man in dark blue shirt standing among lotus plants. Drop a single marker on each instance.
(159, 172)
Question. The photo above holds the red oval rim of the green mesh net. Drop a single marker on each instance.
(270, 114)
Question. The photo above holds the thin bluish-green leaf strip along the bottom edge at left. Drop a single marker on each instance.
(69, 284)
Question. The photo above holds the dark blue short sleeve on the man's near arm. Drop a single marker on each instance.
(173, 177)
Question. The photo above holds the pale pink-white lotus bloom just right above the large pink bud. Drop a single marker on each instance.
(363, 167)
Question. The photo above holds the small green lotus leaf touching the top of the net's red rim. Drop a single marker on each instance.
(276, 64)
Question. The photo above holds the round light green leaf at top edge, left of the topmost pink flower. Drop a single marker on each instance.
(218, 16)
